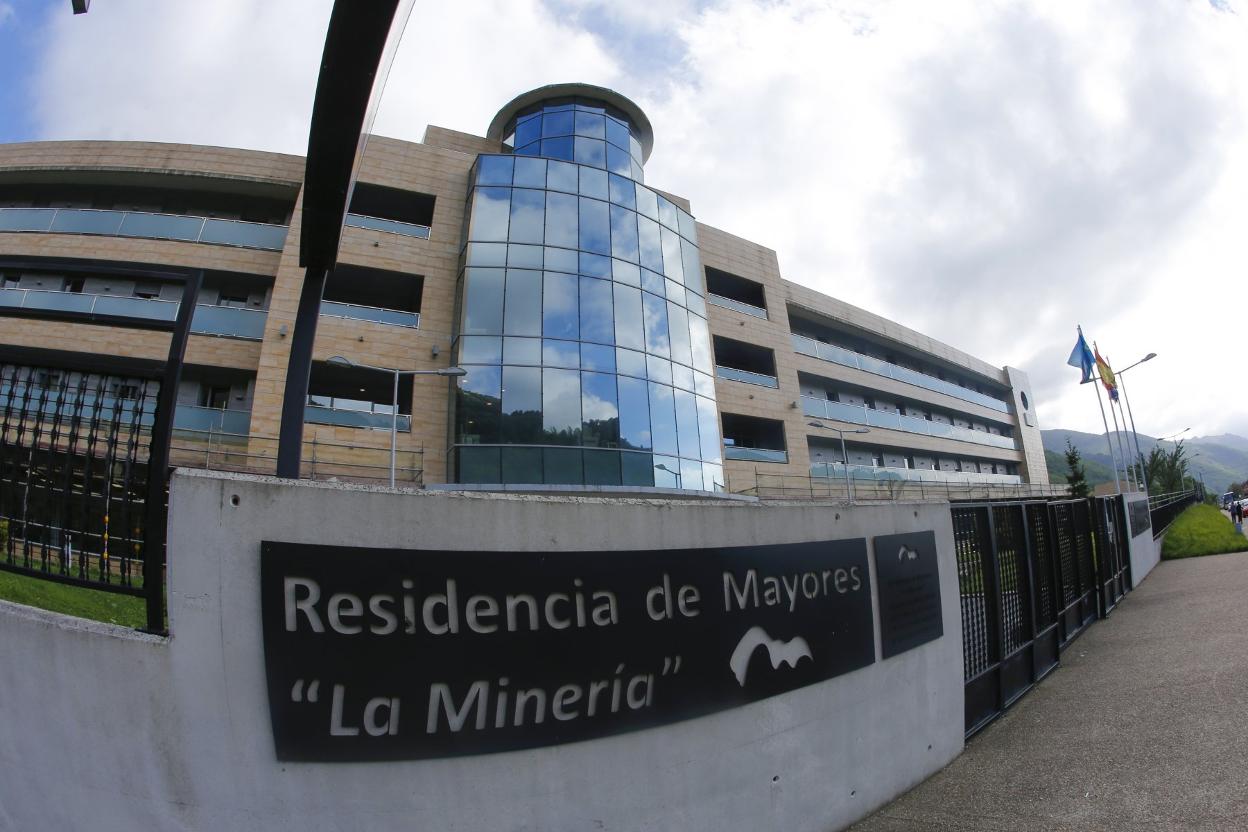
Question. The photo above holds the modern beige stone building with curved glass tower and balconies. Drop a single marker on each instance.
(610, 339)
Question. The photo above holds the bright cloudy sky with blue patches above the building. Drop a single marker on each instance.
(992, 174)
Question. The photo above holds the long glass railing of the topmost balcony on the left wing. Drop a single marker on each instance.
(149, 226)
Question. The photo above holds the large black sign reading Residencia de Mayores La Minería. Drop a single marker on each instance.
(383, 654)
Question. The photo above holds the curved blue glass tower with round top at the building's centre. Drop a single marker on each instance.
(582, 316)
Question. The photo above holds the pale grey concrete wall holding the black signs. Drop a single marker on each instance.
(174, 734)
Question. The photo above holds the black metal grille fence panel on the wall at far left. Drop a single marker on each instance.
(74, 476)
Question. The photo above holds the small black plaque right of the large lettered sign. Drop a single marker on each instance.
(909, 576)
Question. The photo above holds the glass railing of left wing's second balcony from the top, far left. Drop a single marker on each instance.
(232, 322)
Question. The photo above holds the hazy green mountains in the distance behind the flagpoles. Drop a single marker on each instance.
(1220, 461)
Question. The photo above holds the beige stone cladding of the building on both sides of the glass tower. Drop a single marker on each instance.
(440, 168)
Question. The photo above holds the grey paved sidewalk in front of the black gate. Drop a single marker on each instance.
(1145, 727)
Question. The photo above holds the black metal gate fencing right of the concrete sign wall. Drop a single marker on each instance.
(1033, 576)
